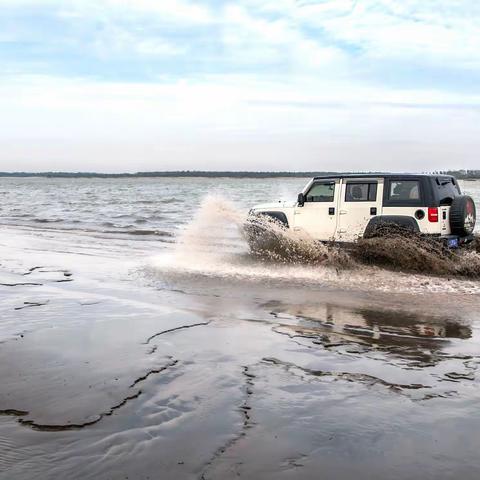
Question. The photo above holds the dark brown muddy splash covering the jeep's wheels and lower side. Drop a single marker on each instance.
(391, 247)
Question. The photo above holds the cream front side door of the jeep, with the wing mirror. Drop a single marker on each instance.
(318, 215)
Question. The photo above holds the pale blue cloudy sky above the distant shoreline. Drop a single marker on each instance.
(138, 85)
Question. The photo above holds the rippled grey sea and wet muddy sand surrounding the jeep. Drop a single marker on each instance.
(176, 354)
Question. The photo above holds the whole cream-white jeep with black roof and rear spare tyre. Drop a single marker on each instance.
(343, 208)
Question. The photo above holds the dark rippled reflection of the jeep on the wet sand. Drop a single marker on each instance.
(380, 347)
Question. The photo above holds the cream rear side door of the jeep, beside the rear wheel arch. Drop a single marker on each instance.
(361, 199)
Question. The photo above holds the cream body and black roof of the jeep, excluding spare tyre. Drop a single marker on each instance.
(344, 217)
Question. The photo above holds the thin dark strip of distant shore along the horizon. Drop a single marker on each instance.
(461, 174)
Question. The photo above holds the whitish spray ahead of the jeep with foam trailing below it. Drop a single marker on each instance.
(213, 245)
